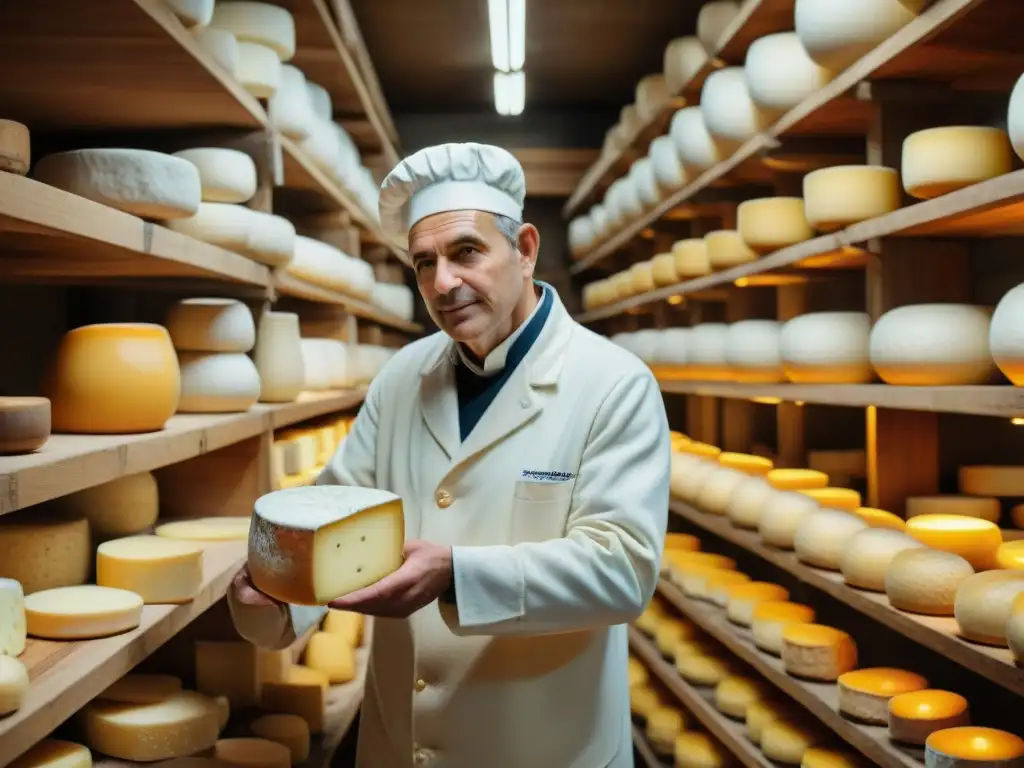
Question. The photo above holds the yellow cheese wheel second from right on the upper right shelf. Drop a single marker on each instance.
(838, 197)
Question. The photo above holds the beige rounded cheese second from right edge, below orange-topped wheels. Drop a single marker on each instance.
(985, 604)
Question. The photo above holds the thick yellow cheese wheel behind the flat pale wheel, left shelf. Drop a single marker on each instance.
(157, 569)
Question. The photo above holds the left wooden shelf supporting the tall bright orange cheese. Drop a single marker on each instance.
(69, 463)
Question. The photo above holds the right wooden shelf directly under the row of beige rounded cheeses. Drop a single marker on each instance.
(938, 633)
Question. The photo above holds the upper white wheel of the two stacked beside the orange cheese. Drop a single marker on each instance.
(211, 326)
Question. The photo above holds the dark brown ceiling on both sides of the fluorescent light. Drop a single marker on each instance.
(435, 56)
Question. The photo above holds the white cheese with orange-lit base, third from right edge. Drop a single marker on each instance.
(827, 349)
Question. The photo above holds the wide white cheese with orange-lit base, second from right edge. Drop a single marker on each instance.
(932, 346)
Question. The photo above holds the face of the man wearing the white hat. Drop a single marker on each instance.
(470, 275)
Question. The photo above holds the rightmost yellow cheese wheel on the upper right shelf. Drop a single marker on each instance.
(938, 161)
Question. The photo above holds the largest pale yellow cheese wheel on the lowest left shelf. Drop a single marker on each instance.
(176, 728)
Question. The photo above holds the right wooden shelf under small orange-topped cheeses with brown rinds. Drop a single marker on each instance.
(822, 700)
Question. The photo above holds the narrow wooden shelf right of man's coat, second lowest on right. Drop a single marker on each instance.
(701, 704)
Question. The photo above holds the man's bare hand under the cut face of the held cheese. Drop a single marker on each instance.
(422, 579)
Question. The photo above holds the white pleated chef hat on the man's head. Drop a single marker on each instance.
(451, 178)
